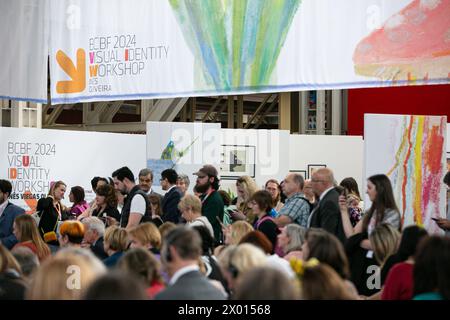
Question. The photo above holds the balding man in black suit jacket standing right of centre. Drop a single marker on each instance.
(326, 215)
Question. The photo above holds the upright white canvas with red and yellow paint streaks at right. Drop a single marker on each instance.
(411, 151)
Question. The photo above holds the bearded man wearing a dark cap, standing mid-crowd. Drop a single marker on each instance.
(212, 204)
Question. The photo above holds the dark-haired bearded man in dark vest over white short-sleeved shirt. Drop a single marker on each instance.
(136, 207)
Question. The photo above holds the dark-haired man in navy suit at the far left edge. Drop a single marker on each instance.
(8, 213)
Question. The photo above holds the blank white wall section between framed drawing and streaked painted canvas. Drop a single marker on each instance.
(342, 154)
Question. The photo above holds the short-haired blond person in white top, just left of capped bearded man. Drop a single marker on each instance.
(191, 210)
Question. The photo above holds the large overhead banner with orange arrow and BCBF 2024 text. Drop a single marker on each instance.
(137, 49)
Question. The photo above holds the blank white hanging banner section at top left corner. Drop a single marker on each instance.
(24, 50)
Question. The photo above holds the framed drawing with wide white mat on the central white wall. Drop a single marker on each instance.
(237, 161)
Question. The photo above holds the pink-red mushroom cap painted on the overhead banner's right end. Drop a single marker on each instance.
(413, 44)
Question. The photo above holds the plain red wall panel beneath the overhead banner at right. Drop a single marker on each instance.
(417, 100)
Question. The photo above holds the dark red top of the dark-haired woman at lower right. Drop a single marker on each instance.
(399, 282)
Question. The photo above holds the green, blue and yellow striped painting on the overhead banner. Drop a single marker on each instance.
(237, 43)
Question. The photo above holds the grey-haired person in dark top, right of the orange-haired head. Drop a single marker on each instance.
(93, 236)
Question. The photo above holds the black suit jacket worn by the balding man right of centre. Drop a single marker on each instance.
(327, 215)
